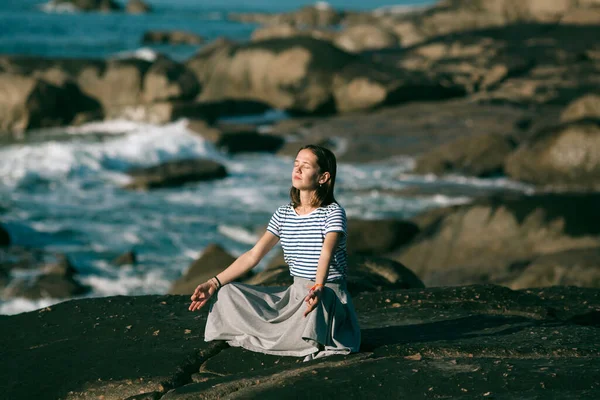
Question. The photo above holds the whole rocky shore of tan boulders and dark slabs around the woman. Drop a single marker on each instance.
(497, 298)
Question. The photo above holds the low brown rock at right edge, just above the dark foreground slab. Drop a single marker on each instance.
(579, 267)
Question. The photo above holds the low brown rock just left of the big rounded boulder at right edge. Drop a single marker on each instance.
(482, 156)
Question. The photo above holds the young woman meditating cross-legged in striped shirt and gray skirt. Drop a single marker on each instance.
(312, 318)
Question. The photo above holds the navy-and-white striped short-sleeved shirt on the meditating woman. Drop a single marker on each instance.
(302, 239)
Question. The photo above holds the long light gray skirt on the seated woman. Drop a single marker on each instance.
(270, 320)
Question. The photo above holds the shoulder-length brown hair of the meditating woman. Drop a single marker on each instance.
(327, 163)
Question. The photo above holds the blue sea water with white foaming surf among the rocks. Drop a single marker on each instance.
(65, 195)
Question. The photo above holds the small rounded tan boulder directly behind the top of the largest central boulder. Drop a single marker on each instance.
(358, 38)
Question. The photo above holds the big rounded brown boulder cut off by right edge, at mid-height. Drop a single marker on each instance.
(562, 156)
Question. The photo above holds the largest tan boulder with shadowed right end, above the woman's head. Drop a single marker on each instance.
(307, 75)
